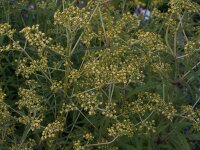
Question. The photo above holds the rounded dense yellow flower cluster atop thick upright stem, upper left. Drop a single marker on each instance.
(72, 18)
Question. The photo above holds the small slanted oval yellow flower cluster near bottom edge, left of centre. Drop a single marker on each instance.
(52, 129)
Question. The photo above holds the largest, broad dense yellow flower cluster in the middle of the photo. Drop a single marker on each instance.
(113, 66)
